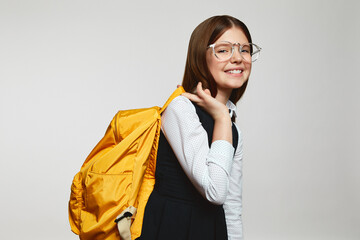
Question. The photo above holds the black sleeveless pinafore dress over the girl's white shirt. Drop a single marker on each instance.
(175, 209)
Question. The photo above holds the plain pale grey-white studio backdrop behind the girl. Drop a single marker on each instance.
(66, 67)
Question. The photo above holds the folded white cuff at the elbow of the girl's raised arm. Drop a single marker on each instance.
(221, 153)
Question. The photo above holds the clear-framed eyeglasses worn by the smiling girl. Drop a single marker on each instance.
(225, 50)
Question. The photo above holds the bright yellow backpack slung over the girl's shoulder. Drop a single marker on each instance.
(119, 173)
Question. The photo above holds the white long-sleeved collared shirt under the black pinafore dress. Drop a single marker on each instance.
(216, 172)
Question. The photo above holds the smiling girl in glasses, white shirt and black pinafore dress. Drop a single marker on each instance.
(197, 194)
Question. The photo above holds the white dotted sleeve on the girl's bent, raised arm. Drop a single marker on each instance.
(208, 168)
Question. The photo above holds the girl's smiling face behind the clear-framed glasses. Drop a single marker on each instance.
(232, 73)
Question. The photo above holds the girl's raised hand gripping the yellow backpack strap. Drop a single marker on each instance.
(203, 98)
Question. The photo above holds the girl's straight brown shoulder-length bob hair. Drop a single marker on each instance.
(196, 69)
